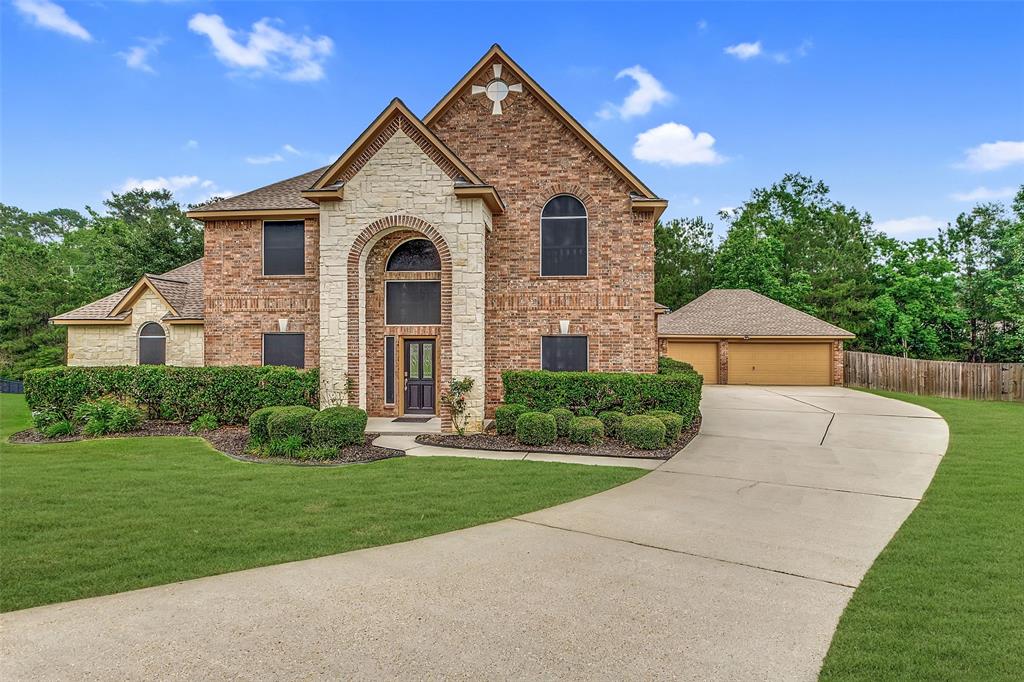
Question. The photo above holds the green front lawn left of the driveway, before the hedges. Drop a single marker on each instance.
(90, 519)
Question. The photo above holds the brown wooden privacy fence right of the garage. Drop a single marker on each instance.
(977, 381)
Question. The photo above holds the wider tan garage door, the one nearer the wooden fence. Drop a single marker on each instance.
(781, 364)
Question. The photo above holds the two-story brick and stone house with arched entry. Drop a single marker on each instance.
(495, 233)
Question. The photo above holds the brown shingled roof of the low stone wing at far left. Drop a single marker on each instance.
(182, 289)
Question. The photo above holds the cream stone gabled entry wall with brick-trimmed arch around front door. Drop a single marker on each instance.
(400, 187)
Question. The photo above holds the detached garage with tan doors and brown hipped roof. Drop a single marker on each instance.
(737, 336)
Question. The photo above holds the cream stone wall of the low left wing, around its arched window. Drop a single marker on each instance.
(118, 345)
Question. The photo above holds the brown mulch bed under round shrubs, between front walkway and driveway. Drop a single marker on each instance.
(491, 441)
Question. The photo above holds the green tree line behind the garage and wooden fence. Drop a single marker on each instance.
(959, 295)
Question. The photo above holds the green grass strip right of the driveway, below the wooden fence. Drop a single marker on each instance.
(946, 600)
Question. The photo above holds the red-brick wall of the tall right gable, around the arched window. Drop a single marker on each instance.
(531, 156)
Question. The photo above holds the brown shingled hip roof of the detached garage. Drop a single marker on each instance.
(742, 313)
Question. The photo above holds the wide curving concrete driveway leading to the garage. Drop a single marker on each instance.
(733, 561)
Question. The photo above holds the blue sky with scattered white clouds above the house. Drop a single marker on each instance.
(910, 112)
